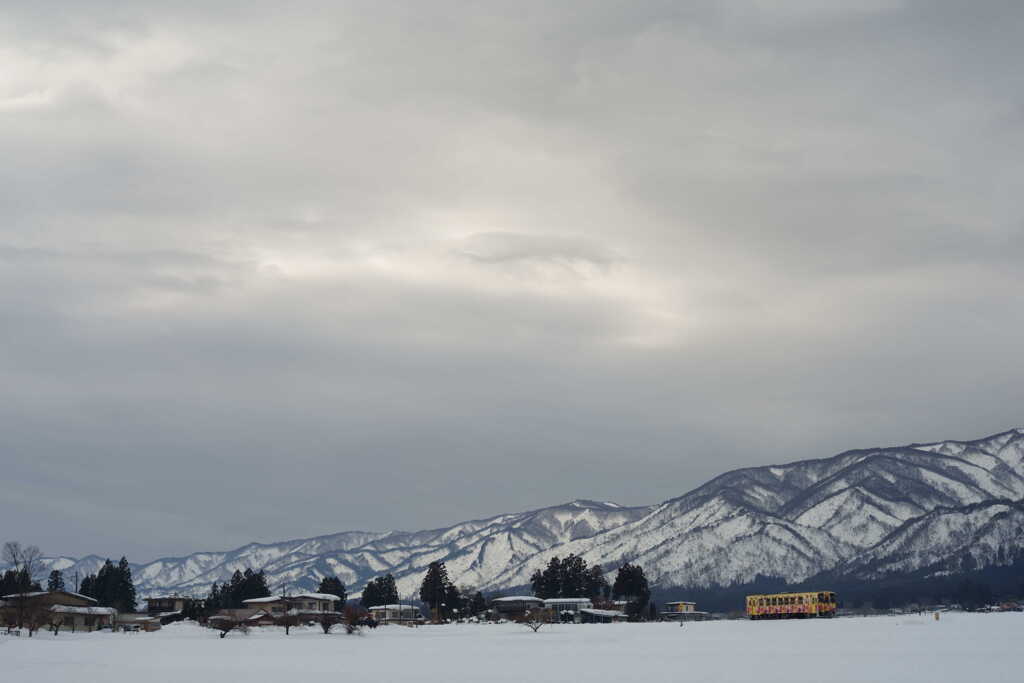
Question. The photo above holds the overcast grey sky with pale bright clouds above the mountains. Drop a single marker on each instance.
(270, 271)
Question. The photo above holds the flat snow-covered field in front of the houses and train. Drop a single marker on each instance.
(960, 648)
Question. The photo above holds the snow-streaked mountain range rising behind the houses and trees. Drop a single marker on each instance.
(925, 508)
